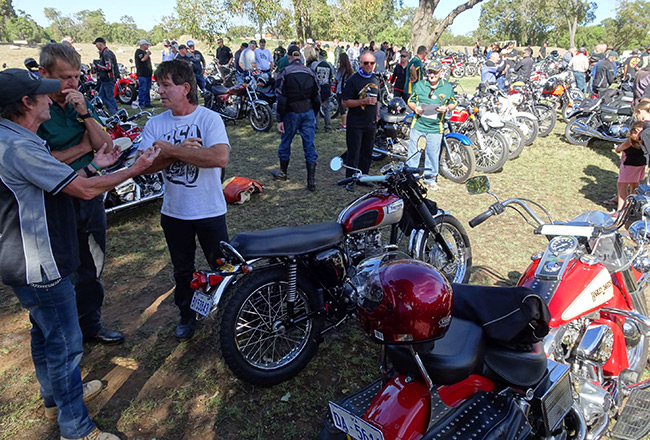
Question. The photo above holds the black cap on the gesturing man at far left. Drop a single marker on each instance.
(16, 83)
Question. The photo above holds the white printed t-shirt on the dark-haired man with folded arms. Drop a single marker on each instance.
(191, 192)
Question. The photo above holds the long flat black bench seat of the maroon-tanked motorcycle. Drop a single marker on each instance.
(287, 241)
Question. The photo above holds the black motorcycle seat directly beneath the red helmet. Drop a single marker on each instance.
(448, 360)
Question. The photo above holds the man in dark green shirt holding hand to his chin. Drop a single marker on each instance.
(74, 134)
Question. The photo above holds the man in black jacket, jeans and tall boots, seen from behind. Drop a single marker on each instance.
(298, 96)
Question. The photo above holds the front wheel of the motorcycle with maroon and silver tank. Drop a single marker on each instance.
(428, 250)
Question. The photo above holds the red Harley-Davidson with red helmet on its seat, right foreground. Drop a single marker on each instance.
(486, 377)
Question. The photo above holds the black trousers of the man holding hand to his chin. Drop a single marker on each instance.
(91, 233)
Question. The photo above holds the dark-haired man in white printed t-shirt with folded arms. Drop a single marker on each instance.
(194, 148)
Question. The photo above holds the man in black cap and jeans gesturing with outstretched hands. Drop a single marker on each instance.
(38, 250)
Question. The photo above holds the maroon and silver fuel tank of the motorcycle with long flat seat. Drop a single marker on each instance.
(373, 210)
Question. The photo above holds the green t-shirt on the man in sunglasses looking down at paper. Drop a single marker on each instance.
(431, 121)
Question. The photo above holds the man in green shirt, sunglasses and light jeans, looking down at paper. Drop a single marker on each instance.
(430, 99)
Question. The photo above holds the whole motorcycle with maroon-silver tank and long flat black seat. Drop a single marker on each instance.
(277, 292)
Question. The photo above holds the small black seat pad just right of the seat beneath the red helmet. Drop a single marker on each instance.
(516, 367)
